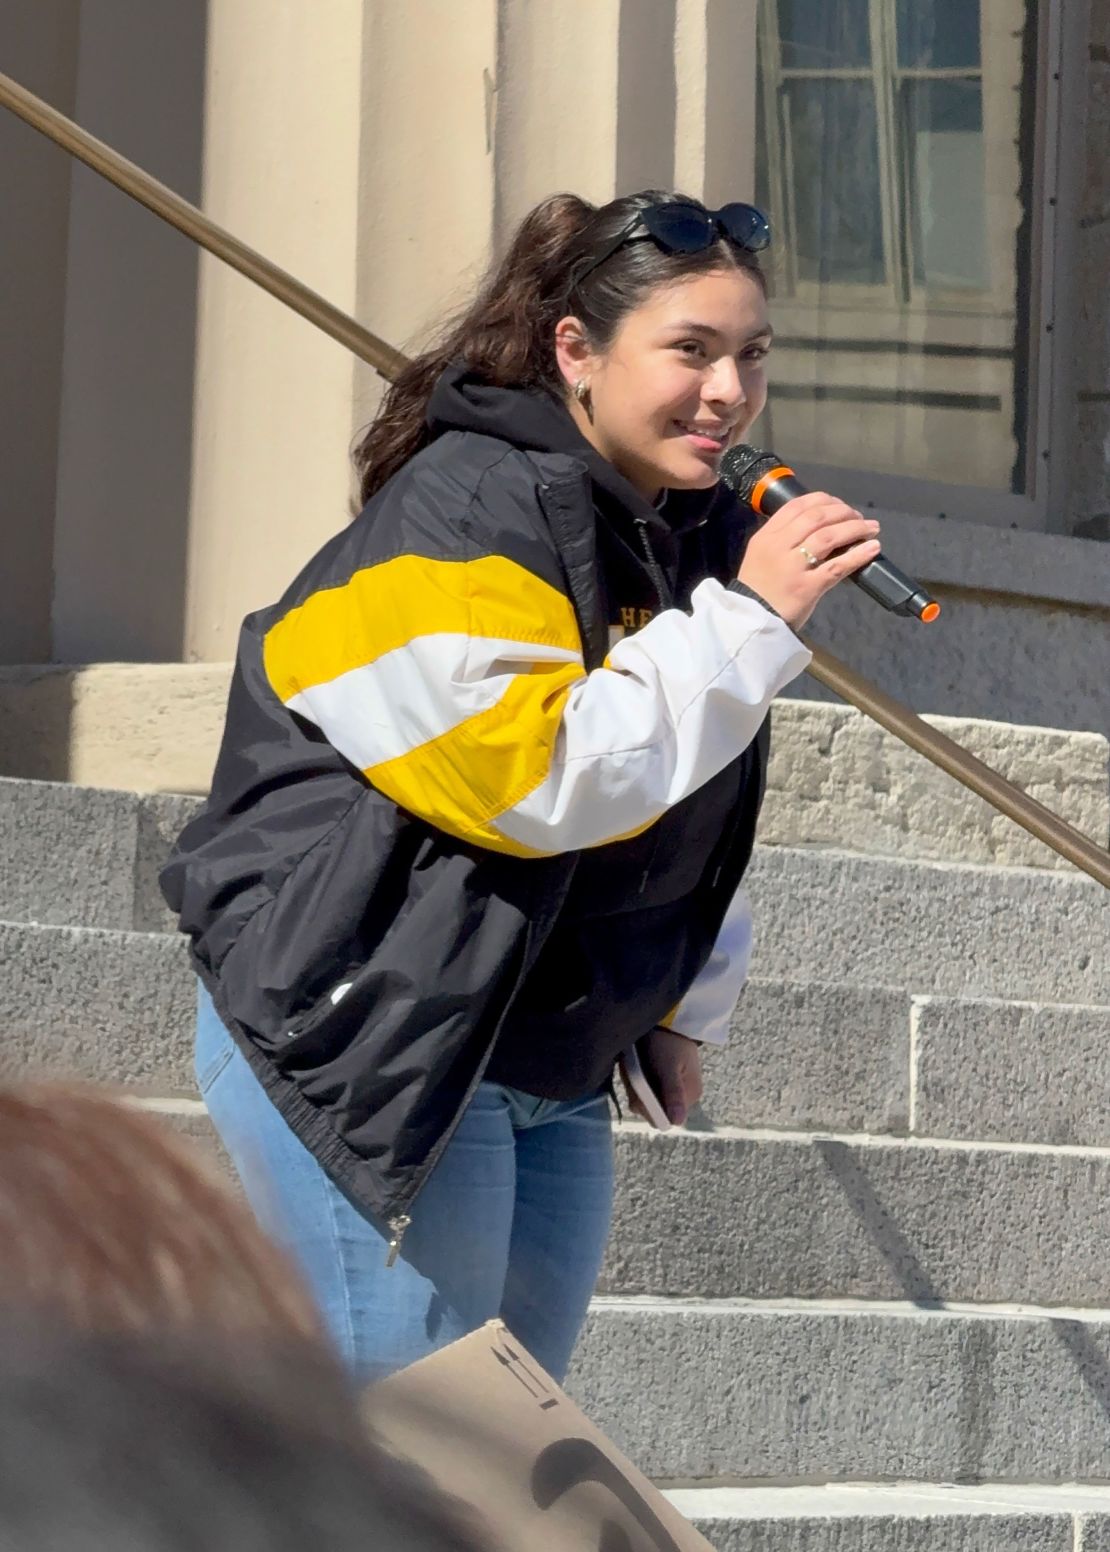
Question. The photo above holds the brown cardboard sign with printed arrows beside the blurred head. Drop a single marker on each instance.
(491, 1429)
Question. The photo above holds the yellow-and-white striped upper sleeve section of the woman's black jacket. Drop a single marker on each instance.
(443, 681)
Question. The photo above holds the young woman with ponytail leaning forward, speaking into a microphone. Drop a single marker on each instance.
(490, 785)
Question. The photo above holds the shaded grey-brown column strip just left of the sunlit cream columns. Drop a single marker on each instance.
(127, 404)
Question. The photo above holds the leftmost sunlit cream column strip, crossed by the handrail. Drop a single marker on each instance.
(272, 418)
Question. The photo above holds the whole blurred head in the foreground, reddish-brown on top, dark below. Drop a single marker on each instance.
(164, 1379)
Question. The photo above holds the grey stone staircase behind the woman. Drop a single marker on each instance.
(865, 1300)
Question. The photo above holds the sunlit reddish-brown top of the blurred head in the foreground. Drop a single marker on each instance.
(111, 1222)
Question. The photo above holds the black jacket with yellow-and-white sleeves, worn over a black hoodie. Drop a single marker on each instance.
(487, 791)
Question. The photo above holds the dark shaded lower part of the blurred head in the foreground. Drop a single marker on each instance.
(133, 1444)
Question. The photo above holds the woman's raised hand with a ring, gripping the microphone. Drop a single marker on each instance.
(810, 546)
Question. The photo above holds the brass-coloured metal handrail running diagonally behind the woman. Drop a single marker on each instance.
(387, 362)
